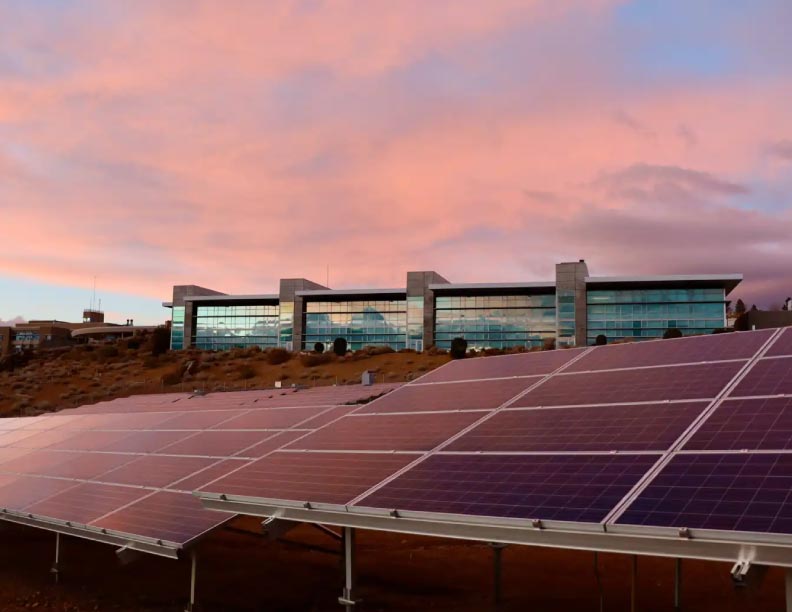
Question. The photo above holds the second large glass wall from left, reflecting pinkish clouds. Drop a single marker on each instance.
(360, 322)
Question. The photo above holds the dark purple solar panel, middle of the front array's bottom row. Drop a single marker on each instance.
(551, 487)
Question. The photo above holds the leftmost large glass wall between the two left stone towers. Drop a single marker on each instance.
(225, 327)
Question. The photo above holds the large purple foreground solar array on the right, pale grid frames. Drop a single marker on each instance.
(691, 432)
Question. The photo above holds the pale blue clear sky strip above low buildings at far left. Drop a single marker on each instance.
(39, 300)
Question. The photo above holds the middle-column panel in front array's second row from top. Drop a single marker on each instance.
(644, 385)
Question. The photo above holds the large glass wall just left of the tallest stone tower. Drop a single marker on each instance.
(495, 321)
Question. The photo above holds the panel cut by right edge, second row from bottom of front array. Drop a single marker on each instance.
(750, 424)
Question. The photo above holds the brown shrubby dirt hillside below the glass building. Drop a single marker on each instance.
(54, 380)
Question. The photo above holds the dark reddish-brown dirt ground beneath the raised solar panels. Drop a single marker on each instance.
(242, 571)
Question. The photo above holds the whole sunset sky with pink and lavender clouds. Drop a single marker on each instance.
(231, 143)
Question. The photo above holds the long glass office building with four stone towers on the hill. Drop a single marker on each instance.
(431, 311)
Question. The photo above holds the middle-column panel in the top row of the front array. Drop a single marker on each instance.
(738, 345)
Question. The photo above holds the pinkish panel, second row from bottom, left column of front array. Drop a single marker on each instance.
(403, 432)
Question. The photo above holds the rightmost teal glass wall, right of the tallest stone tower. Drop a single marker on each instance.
(648, 313)
